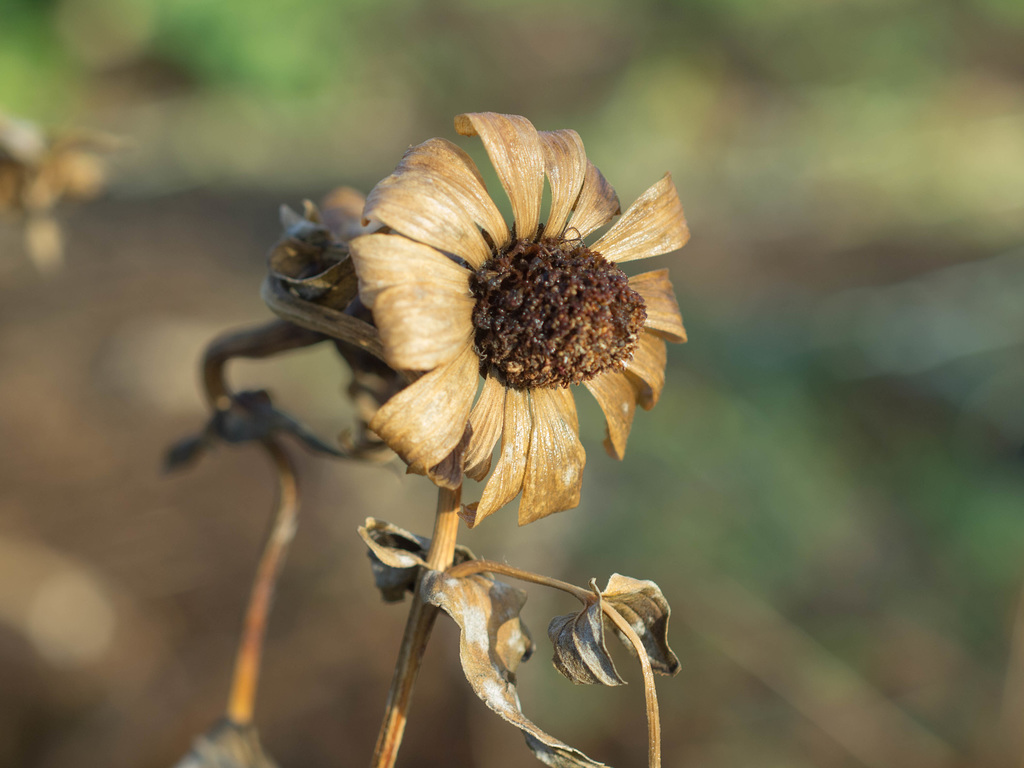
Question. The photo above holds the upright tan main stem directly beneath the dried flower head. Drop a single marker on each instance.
(418, 626)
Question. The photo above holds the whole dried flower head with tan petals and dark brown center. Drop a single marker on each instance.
(458, 294)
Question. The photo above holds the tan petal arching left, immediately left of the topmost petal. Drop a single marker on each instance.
(451, 166)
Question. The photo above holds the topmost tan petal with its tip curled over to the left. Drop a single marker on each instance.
(516, 152)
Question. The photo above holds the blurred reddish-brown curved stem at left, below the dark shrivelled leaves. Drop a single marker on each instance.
(245, 681)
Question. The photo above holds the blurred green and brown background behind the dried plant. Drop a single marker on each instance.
(831, 492)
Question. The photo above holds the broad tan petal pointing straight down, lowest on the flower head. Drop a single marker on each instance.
(554, 470)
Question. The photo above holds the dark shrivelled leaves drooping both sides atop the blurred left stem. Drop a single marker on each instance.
(250, 417)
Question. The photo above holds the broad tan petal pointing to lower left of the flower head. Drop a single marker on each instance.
(426, 420)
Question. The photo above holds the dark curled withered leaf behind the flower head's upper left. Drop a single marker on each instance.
(312, 263)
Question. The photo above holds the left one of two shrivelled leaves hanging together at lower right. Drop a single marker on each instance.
(580, 651)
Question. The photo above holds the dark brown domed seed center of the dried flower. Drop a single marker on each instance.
(553, 313)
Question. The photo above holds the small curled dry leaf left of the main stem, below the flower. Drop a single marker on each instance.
(397, 558)
